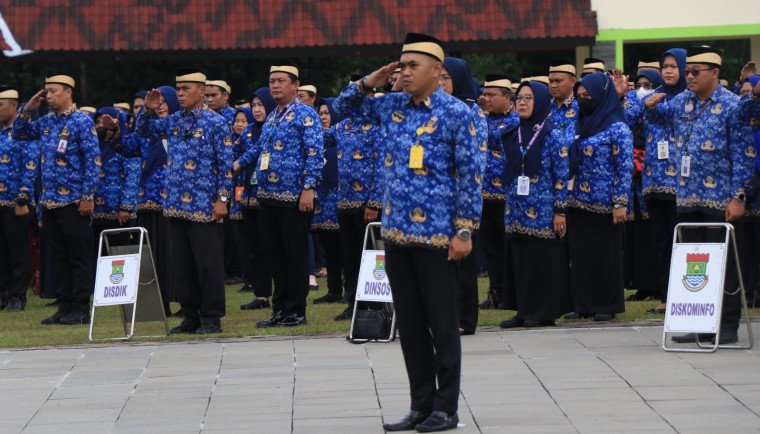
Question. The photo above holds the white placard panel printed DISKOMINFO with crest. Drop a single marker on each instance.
(695, 288)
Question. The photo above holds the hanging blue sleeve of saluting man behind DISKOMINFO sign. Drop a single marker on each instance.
(740, 146)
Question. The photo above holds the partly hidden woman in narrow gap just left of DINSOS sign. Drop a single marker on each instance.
(325, 221)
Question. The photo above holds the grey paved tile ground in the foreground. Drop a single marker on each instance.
(560, 380)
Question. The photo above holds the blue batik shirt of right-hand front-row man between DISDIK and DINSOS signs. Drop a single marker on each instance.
(293, 139)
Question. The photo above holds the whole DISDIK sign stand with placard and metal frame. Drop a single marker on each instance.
(126, 277)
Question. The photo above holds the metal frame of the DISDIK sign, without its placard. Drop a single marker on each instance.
(148, 305)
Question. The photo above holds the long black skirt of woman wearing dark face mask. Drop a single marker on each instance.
(596, 263)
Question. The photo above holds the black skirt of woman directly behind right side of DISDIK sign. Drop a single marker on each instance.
(158, 233)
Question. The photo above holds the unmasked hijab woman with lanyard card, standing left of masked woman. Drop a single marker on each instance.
(535, 174)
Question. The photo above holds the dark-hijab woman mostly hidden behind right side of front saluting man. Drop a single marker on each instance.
(456, 80)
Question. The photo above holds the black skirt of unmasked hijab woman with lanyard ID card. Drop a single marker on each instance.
(540, 283)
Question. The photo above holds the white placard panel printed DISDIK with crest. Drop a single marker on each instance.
(116, 280)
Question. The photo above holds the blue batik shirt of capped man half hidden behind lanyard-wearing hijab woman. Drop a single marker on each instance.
(493, 188)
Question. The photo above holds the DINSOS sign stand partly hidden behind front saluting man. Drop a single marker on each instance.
(373, 286)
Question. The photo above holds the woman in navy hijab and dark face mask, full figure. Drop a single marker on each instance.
(601, 166)
